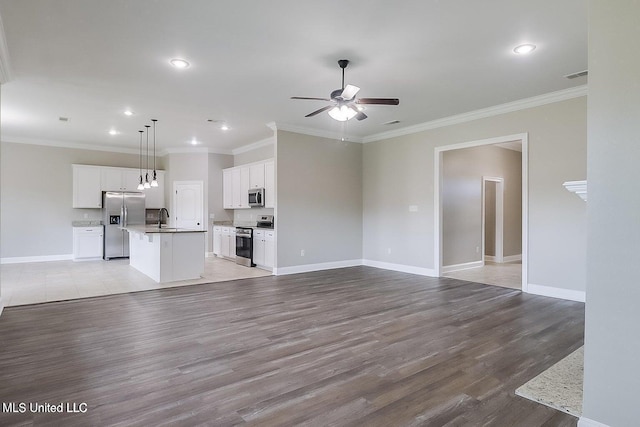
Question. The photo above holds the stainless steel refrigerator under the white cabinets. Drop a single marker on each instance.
(119, 210)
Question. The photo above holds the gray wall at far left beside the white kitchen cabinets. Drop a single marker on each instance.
(36, 197)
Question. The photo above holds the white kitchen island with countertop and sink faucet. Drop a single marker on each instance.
(167, 254)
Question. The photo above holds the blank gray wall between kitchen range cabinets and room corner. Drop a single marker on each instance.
(319, 187)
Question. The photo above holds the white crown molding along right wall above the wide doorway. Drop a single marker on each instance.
(522, 104)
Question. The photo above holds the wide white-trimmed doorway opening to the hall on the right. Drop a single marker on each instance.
(476, 260)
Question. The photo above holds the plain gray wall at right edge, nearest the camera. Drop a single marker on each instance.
(611, 376)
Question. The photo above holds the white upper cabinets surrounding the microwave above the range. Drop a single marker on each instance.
(237, 181)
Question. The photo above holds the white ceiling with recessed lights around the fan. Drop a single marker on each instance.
(89, 60)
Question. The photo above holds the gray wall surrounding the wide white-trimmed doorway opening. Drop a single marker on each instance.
(398, 172)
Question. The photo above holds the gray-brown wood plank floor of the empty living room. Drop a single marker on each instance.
(349, 347)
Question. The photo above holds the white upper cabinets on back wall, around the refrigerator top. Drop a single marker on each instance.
(90, 181)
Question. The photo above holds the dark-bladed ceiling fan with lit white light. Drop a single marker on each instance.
(343, 102)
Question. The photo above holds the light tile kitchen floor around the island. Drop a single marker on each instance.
(37, 282)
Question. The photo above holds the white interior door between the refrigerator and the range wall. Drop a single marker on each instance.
(187, 205)
